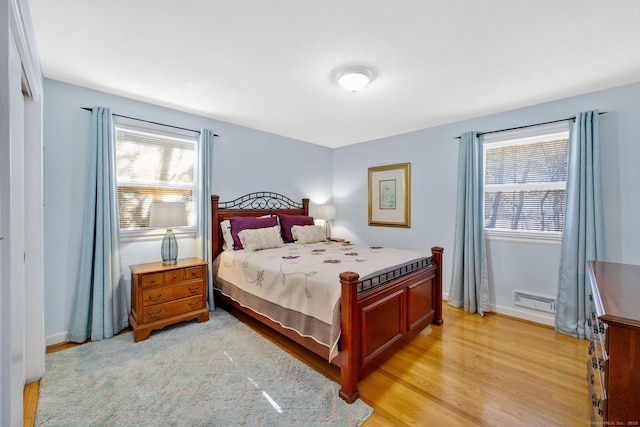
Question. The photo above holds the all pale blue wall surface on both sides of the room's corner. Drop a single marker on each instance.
(248, 160)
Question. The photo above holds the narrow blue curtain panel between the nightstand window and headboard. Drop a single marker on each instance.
(205, 159)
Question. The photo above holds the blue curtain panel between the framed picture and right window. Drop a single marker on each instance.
(470, 284)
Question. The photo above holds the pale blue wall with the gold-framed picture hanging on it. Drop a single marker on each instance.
(513, 265)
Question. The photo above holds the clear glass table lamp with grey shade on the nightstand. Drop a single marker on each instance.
(168, 214)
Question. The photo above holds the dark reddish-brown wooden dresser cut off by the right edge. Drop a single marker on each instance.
(613, 367)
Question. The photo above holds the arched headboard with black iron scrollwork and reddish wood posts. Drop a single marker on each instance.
(254, 205)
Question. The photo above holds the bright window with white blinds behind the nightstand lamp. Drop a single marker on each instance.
(155, 163)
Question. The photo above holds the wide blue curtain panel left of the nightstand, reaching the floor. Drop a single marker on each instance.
(100, 306)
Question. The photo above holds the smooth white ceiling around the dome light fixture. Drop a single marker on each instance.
(267, 64)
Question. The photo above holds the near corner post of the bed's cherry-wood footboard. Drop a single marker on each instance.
(349, 371)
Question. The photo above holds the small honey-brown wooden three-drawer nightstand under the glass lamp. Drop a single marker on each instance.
(165, 294)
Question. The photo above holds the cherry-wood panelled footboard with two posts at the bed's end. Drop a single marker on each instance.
(378, 321)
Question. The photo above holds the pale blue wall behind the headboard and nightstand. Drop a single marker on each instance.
(246, 160)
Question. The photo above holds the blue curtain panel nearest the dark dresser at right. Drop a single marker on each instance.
(583, 235)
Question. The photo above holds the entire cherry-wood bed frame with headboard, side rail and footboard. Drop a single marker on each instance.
(379, 316)
